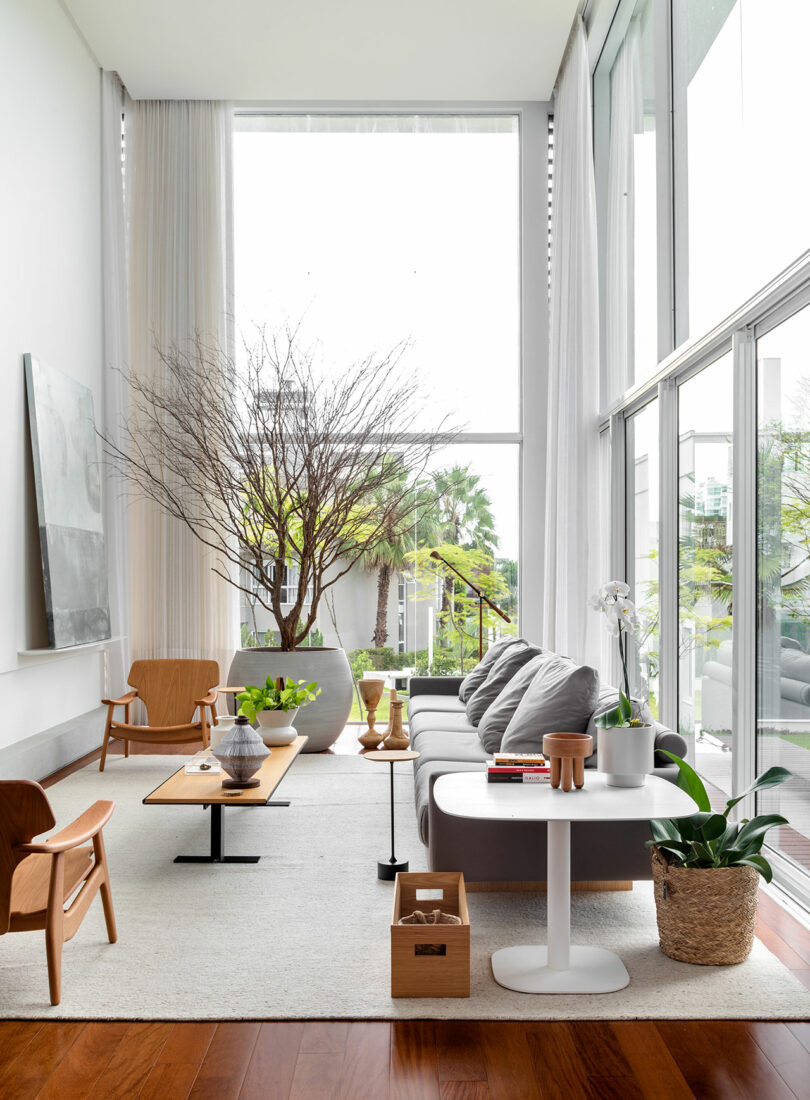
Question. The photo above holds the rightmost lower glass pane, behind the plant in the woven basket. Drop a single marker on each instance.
(784, 578)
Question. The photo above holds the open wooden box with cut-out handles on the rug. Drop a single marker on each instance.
(444, 974)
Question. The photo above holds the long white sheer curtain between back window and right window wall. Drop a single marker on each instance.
(573, 498)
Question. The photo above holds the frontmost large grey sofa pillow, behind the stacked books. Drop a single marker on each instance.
(561, 699)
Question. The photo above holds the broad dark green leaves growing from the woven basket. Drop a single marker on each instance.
(709, 840)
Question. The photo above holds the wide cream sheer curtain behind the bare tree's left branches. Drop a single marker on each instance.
(180, 228)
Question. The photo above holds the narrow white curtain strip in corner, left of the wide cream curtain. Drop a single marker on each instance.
(115, 106)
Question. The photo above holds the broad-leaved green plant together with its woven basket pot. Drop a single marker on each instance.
(707, 875)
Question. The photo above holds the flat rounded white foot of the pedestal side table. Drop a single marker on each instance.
(590, 971)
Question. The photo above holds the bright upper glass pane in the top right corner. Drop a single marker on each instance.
(742, 101)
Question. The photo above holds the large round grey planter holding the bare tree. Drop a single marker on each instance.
(322, 721)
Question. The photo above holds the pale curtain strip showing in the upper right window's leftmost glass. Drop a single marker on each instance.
(627, 122)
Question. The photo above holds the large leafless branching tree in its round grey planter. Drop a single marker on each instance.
(281, 472)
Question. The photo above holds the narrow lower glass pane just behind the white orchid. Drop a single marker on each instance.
(642, 437)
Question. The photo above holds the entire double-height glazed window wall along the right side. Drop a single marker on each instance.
(720, 552)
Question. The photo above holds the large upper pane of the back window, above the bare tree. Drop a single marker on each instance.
(366, 233)
